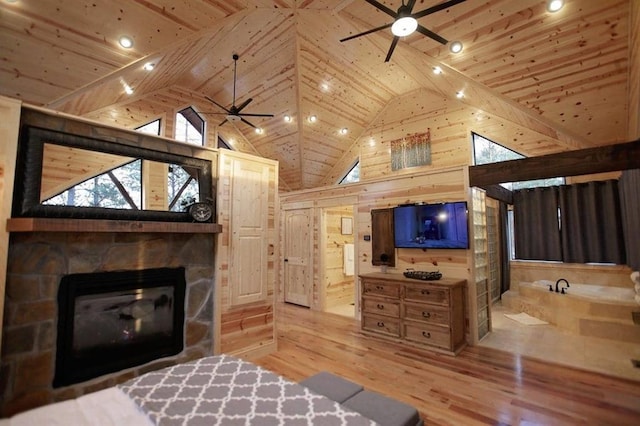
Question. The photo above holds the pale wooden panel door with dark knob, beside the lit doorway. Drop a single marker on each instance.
(298, 265)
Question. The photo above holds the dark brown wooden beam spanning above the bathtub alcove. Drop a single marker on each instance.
(608, 158)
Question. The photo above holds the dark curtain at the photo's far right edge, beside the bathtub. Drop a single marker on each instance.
(629, 188)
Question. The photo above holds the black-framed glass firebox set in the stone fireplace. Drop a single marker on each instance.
(110, 321)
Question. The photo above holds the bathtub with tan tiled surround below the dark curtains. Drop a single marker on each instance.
(585, 309)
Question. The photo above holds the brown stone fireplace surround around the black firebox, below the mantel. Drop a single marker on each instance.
(38, 263)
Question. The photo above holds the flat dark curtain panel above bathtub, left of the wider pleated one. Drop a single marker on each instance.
(537, 235)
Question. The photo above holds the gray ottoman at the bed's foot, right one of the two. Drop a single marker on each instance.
(383, 410)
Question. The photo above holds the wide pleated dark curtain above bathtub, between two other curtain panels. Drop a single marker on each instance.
(591, 223)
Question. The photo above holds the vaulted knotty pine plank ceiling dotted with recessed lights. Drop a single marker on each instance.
(564, 74)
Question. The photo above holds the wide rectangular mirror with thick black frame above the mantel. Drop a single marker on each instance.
(64, 175)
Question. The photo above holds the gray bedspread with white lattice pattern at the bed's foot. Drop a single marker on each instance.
(223, 390)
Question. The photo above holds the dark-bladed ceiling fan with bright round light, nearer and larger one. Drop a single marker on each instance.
(405, 22)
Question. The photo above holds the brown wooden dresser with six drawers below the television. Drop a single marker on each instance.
(423, 313)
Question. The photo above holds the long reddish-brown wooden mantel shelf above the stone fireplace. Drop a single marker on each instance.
(99, 225)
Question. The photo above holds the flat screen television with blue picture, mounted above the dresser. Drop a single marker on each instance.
(443, 225)
